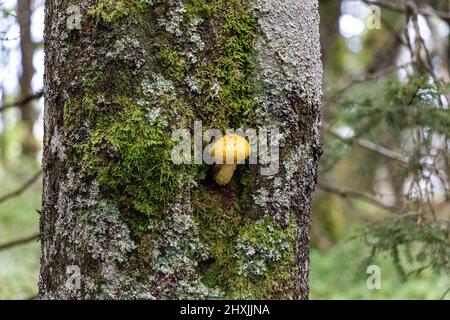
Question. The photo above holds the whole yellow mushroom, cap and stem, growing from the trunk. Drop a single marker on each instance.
(228, 152)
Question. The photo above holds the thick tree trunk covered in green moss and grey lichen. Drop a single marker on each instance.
(119, 218)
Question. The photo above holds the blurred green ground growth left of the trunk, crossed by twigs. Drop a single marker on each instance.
(19, 266)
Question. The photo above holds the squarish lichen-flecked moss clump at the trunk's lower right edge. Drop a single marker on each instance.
(264, 261)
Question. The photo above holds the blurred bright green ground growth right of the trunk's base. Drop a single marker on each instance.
(340, 273)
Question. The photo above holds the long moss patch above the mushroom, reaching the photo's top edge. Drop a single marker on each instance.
(213, 47)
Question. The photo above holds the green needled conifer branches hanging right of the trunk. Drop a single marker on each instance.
(406, 116)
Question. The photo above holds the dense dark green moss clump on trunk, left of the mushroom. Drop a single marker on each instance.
(134, 158)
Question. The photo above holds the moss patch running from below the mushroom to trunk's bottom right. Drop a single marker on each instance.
(247, 258)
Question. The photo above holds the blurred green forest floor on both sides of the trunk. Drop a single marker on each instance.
(336, 273)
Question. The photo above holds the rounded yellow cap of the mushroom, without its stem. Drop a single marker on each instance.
(230, 149)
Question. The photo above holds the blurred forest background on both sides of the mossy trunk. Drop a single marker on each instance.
(383, 193)
